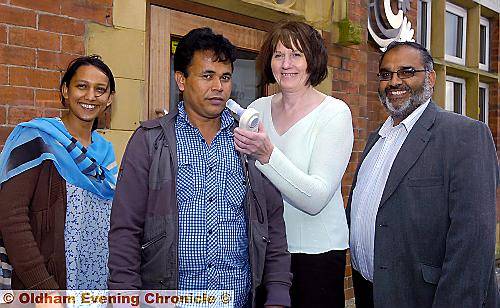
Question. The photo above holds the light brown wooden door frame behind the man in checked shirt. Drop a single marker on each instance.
(163, 23)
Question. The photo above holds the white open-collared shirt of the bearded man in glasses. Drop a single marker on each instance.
(370, 184)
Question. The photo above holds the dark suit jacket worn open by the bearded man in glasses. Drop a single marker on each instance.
(435, 227)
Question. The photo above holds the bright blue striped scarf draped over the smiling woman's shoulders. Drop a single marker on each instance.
(93, 168)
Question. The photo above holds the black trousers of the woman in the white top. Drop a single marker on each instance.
(318, 279)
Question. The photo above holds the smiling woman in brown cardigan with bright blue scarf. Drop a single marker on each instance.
(57, 178)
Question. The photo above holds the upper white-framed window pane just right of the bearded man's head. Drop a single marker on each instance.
(456, 21)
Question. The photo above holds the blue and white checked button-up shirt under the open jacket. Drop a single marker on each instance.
(213, 240)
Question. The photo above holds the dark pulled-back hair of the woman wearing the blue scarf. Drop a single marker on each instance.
(93, 60)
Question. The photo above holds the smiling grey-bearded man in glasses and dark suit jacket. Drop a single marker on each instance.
(422, 205)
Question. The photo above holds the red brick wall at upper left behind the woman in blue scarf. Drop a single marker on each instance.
(38, 38)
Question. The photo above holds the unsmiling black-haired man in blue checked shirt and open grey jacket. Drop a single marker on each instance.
(189, 212)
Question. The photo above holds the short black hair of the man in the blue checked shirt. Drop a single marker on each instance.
(202, 39)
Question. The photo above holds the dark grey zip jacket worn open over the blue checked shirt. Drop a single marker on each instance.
(144, 233)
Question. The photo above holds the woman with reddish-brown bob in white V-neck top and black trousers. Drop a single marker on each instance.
(303, 146)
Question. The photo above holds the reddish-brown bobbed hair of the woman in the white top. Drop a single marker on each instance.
(306, 39)
